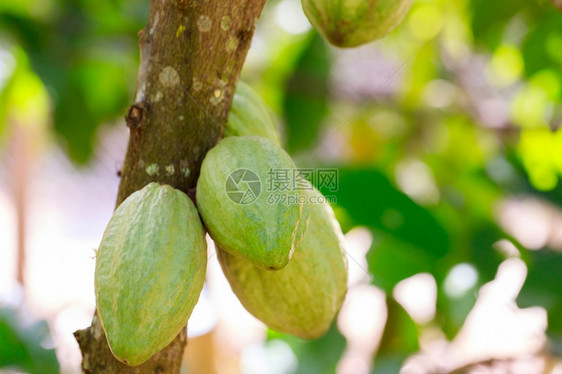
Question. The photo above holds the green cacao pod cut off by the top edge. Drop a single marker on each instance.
(349, 23)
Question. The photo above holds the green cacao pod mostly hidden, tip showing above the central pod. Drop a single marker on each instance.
(249, 116)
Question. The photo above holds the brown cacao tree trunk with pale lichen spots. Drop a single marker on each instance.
(192, 52)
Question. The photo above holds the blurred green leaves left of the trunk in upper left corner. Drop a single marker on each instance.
(84, 52)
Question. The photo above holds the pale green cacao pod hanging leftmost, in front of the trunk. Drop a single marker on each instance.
(150, 270)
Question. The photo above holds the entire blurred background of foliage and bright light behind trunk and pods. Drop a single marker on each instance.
(446, 136)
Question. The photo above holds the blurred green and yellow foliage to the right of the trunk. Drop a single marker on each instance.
(450, 57)
